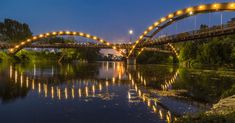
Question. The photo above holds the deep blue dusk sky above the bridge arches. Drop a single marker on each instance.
(110, 19)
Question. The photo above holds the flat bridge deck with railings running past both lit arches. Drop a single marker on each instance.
(214, 31)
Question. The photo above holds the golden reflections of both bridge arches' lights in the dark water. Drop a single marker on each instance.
(45, 84)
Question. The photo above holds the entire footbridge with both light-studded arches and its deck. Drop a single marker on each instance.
(147, 40)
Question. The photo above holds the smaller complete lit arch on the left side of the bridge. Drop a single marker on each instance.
(35, 38)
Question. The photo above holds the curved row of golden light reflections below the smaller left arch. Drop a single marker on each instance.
(74, 88)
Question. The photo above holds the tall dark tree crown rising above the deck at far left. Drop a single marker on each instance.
(14, 30)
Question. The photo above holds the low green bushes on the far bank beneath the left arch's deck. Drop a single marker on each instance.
(69, 55)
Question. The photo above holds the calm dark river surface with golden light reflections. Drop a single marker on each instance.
(106, 92)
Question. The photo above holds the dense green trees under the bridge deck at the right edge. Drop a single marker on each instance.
(214, 51)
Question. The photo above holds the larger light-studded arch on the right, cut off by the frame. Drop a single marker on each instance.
(178, 15)
